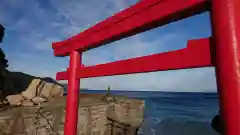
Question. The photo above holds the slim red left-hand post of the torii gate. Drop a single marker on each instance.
(71, 118)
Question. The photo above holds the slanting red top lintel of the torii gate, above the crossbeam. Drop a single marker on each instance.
(156, 15)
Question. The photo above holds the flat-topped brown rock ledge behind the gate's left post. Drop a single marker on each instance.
(98, 117)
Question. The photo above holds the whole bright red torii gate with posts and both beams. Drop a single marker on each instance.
(220, 51)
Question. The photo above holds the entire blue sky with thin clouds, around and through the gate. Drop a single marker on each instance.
(31, 27)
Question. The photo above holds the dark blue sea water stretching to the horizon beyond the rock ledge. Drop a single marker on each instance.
(170, 113)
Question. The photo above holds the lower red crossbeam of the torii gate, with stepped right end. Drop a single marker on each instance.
(197, 54)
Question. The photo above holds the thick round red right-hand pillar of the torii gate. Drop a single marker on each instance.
(226, 35)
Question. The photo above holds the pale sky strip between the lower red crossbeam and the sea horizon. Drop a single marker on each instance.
(191, 80)
